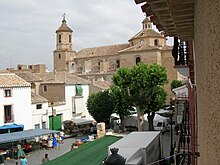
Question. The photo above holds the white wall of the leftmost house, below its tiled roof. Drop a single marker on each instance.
(21, 105)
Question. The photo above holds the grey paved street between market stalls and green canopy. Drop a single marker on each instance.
(35, 157)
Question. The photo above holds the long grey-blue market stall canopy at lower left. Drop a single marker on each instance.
(22, 135)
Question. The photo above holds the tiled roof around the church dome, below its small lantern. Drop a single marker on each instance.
(147, 33)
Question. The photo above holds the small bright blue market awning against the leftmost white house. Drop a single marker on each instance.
(11, 128)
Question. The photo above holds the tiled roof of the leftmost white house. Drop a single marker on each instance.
(12, 80)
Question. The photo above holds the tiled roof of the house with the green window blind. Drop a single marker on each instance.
(61, 77)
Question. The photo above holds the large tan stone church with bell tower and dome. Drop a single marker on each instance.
(98, 64)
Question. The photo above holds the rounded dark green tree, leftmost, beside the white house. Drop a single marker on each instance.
(100, 106)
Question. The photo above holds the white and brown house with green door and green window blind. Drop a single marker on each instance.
(67, 95)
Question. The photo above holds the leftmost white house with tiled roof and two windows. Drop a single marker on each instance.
(15, 101)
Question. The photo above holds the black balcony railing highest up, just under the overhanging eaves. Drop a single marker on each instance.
(180, 52)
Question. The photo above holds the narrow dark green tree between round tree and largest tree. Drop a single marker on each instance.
(122, 105)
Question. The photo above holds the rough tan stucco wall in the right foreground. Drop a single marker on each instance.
(207, 60)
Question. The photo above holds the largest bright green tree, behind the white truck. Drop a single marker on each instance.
(144, 86)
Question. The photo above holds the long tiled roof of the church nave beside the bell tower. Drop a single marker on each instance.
(101, 51)
